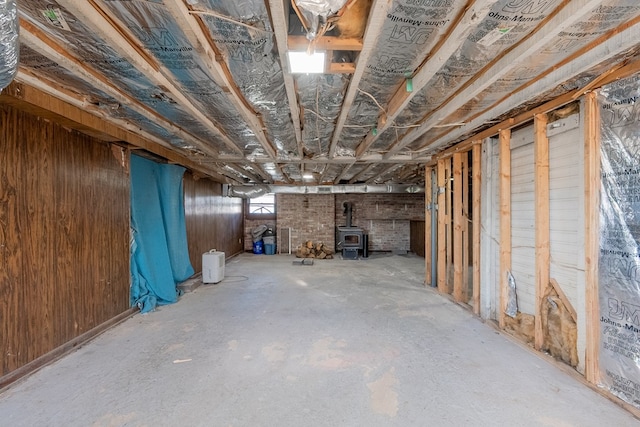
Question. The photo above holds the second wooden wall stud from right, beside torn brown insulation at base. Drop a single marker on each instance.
(541, 161)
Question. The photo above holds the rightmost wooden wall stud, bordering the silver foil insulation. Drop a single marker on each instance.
(591, 235)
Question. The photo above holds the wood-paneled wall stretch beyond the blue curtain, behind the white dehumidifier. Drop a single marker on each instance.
(213, 221)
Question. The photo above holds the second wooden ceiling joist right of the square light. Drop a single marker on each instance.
(471, 16)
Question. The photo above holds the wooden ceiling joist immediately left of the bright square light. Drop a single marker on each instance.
(279, 16)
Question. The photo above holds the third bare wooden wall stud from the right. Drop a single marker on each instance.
(505, 220)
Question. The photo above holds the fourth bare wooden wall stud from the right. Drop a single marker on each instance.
(458, 246)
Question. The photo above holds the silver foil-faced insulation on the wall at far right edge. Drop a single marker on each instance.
(619, 262)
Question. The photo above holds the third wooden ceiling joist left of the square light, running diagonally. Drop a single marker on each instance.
(95, 16)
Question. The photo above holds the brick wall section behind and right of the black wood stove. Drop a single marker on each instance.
(385, 217)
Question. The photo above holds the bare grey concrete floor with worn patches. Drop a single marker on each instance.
(339, 343)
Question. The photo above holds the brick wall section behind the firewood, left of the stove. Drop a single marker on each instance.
(310, 216)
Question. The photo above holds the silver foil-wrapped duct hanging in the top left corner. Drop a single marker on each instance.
(9, 51)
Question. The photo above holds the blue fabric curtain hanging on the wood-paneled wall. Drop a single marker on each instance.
(159, 252)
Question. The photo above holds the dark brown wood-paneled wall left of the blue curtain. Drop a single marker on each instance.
(64, 236)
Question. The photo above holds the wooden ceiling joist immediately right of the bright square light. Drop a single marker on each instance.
(377, 18)
